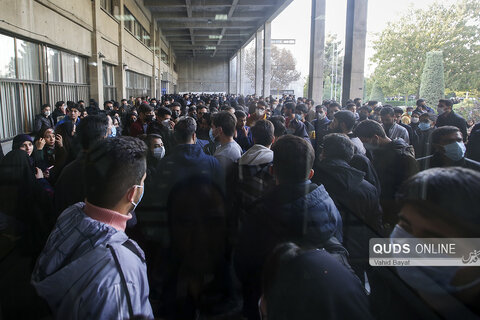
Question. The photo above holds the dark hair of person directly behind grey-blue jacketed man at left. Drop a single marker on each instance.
(92, 129)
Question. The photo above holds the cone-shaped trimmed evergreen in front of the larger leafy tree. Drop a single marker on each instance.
(432, 87)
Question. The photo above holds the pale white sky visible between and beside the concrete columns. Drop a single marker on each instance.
(294, 23)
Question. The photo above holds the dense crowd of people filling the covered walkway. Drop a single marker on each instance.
(214, 206)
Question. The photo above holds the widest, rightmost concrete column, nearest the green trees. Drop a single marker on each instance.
(355, 42)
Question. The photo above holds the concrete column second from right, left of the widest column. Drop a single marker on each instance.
(317, 48)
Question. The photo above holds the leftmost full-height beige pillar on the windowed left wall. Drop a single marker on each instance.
(95, 63)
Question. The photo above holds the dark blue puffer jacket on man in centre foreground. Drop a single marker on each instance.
(302, 213)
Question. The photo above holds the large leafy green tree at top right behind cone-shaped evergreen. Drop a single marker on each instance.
(400, 50)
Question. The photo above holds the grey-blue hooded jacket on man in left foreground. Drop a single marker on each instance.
(77, 275)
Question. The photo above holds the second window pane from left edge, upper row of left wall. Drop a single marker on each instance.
(28, 60)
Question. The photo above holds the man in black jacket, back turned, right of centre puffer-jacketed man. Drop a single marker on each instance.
(356, 199)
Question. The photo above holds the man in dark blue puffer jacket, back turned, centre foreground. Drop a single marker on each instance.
(295, 210)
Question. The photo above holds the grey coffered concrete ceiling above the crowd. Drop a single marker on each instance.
(215, 28)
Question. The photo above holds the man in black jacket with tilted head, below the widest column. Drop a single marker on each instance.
(394, 161)
